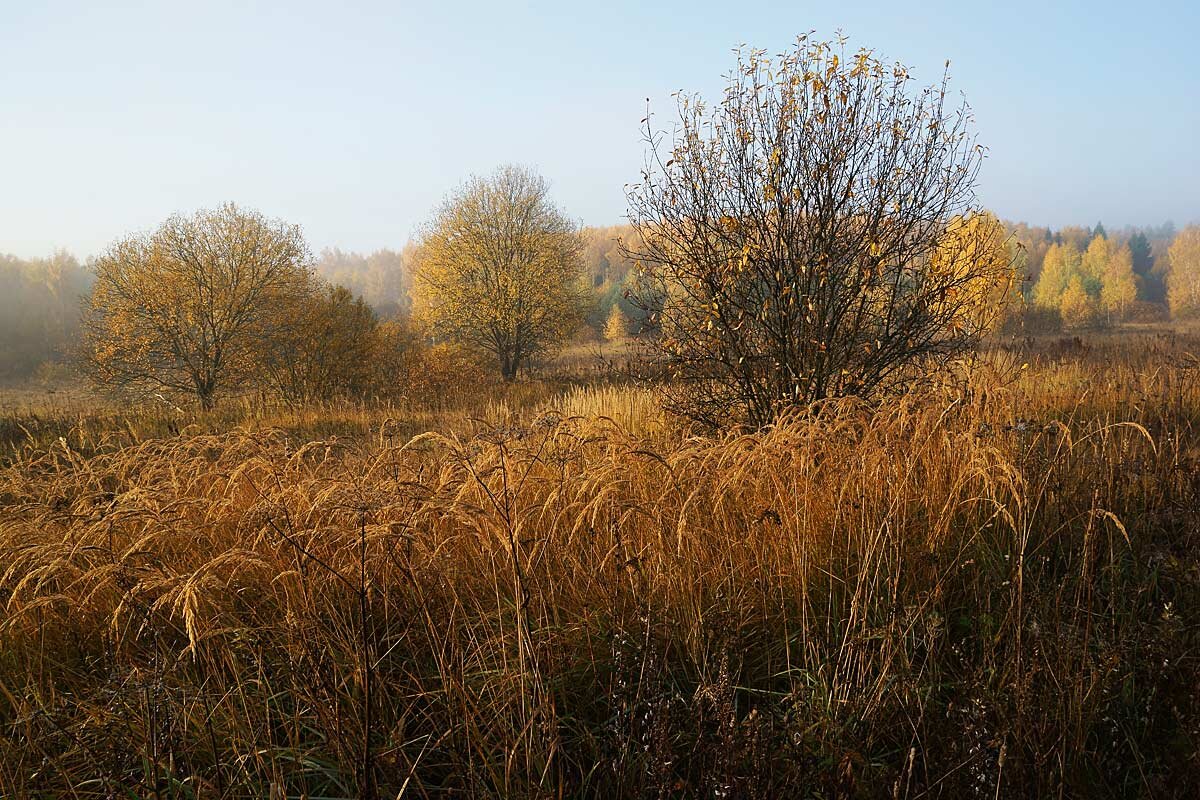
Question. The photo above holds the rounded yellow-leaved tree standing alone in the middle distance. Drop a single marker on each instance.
(499, 268)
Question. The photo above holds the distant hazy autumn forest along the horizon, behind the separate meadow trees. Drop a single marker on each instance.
(1079, 275)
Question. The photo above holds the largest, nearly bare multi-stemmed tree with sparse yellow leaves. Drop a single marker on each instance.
(793, 238)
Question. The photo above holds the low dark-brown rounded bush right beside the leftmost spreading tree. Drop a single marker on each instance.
(323, 347)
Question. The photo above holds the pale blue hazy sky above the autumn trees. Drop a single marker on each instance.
(357, 119)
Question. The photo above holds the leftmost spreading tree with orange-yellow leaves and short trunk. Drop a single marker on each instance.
(187, 309)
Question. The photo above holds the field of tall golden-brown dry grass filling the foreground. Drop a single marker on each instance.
(983, 590)
